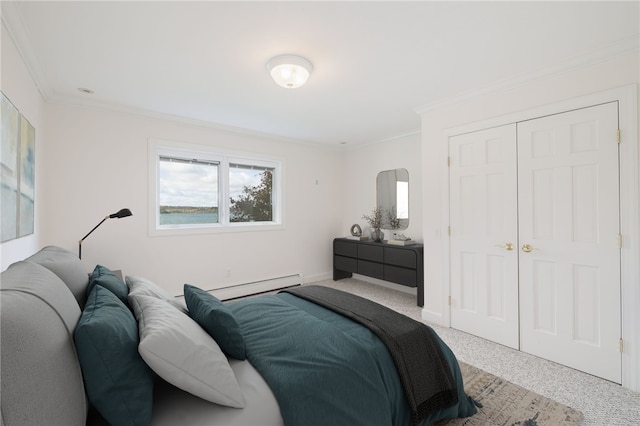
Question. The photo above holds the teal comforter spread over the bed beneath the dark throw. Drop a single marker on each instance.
(324, 369)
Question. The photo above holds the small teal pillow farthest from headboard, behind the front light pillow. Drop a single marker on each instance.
(217, 320)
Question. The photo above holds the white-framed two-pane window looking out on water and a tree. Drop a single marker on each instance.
(194, 190)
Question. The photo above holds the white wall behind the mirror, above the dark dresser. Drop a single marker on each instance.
(361, 168)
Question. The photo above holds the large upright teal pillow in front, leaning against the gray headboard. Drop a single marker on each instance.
(118, 382)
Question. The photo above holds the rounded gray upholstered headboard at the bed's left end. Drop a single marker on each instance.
(41, 380)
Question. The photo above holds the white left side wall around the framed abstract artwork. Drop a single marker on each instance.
(18, 86)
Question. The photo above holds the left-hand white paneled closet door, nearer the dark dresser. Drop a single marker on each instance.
(484, 252)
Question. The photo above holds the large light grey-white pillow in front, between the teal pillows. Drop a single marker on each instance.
(182, 353)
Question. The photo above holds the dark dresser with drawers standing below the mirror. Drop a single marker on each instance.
(397, 264)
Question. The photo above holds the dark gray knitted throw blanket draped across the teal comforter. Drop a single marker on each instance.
(423, 369)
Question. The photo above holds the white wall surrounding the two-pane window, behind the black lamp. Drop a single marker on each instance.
(96, 163)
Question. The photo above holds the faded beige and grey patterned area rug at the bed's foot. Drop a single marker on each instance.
(506, 404)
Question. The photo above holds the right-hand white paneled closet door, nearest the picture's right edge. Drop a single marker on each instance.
(569, 254)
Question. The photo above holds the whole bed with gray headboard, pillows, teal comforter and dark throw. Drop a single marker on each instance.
(292, 358)
